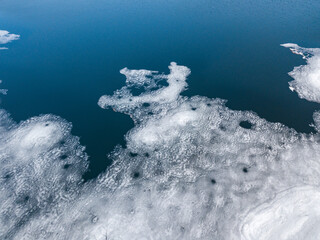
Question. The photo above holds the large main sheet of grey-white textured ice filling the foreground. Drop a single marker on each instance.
(192, 169)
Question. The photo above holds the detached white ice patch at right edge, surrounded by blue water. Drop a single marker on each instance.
(306, 77)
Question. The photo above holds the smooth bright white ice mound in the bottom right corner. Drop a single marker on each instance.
(293, 214)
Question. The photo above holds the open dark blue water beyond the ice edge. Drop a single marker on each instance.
(70, 54)
